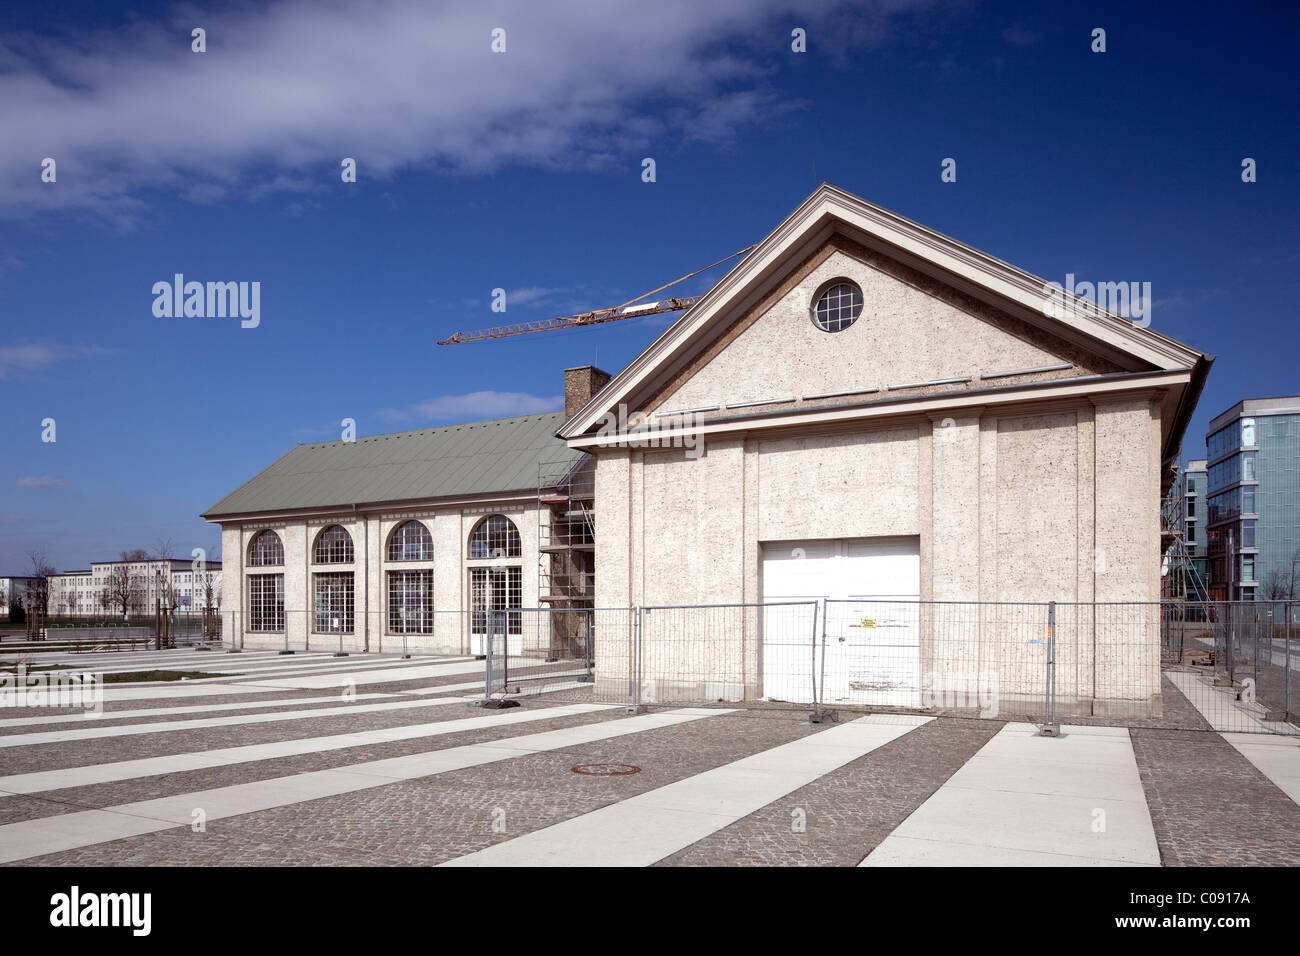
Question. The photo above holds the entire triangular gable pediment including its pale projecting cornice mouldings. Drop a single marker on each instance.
(938, 317)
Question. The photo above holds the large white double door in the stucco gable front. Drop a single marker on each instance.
(872, 654)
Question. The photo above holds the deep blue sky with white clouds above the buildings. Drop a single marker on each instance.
(523, 171)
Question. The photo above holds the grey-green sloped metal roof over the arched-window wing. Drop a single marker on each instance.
(454, 461)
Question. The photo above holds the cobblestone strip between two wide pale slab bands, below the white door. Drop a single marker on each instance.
(847, 814)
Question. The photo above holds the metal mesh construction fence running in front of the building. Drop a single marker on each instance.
(1228, 667)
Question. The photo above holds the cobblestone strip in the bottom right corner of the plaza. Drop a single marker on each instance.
(1211, 807)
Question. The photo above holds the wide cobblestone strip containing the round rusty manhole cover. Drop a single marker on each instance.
(436, 819)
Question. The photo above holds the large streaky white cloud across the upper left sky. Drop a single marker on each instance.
(285, 93)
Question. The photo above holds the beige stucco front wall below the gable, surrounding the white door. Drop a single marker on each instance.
(1050, 504)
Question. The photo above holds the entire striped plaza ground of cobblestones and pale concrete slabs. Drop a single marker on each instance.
(376, 760)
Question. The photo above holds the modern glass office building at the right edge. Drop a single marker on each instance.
(1253, 522)
